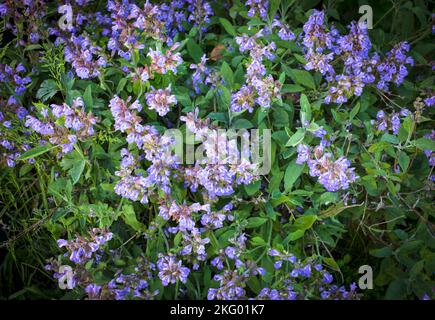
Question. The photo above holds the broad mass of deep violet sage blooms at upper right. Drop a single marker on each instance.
(325, 49)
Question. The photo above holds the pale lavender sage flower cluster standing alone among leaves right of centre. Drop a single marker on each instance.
(333, 175)
